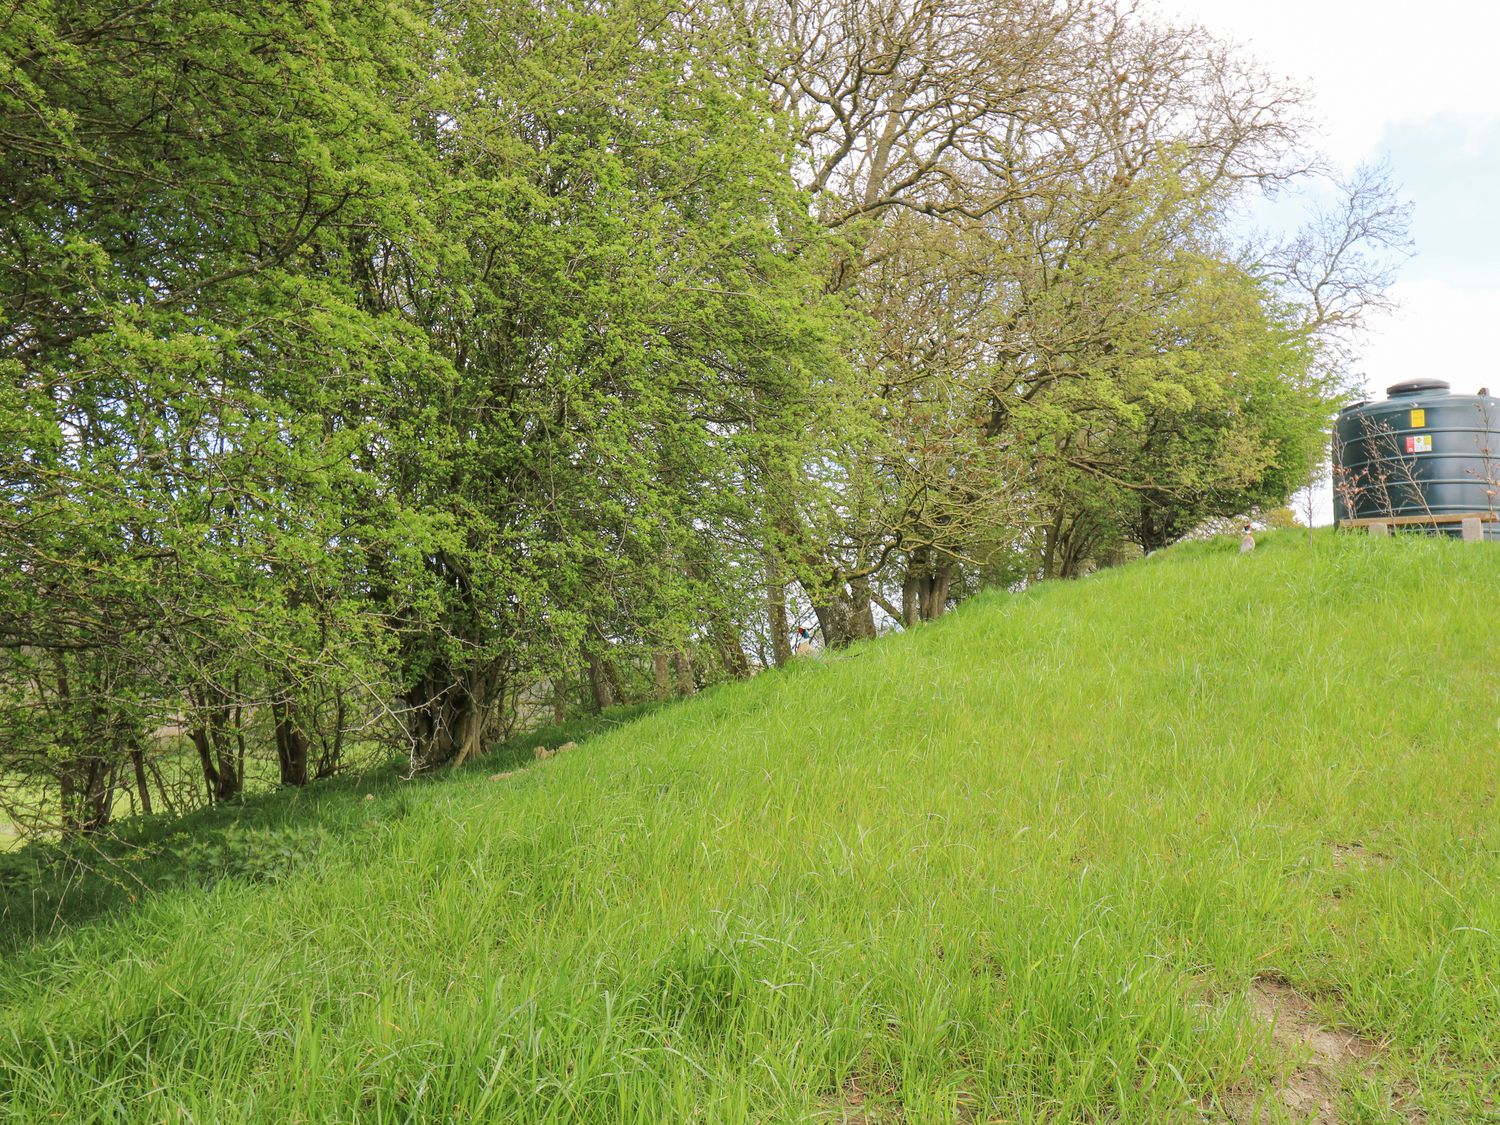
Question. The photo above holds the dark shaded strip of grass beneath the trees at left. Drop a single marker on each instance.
(47, 889)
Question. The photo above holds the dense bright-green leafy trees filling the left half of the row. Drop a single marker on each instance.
(361, 374)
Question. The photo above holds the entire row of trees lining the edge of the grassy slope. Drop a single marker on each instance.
(382, 377)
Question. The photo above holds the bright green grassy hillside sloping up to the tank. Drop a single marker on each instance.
(1202, 839)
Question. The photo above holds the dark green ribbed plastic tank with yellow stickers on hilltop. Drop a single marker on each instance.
(1421, 452)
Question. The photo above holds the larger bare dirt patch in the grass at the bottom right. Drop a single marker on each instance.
(1325, 1055)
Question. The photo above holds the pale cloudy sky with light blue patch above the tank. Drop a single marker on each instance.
(1417, 86)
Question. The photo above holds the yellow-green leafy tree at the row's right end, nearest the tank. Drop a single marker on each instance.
(1211, 407)
